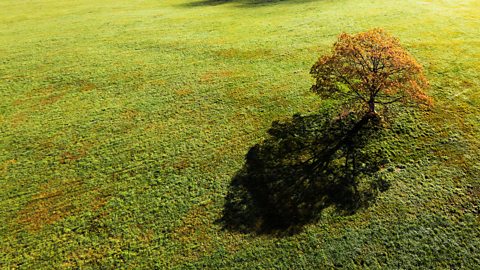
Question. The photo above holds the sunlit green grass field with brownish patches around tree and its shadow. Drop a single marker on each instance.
(124, 122)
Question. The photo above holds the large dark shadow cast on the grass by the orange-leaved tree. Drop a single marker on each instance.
(307, 164)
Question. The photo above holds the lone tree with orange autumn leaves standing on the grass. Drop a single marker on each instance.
(367, 69)
